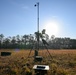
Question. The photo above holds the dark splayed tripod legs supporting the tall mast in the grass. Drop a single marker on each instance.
(35, 47)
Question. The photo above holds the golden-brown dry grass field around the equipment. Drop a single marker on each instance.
(62, 62)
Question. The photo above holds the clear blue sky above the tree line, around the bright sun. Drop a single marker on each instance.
(20, 16)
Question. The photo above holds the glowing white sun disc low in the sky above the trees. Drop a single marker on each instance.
(52, 28)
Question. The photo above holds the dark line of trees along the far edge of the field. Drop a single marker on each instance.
(30, 41)
